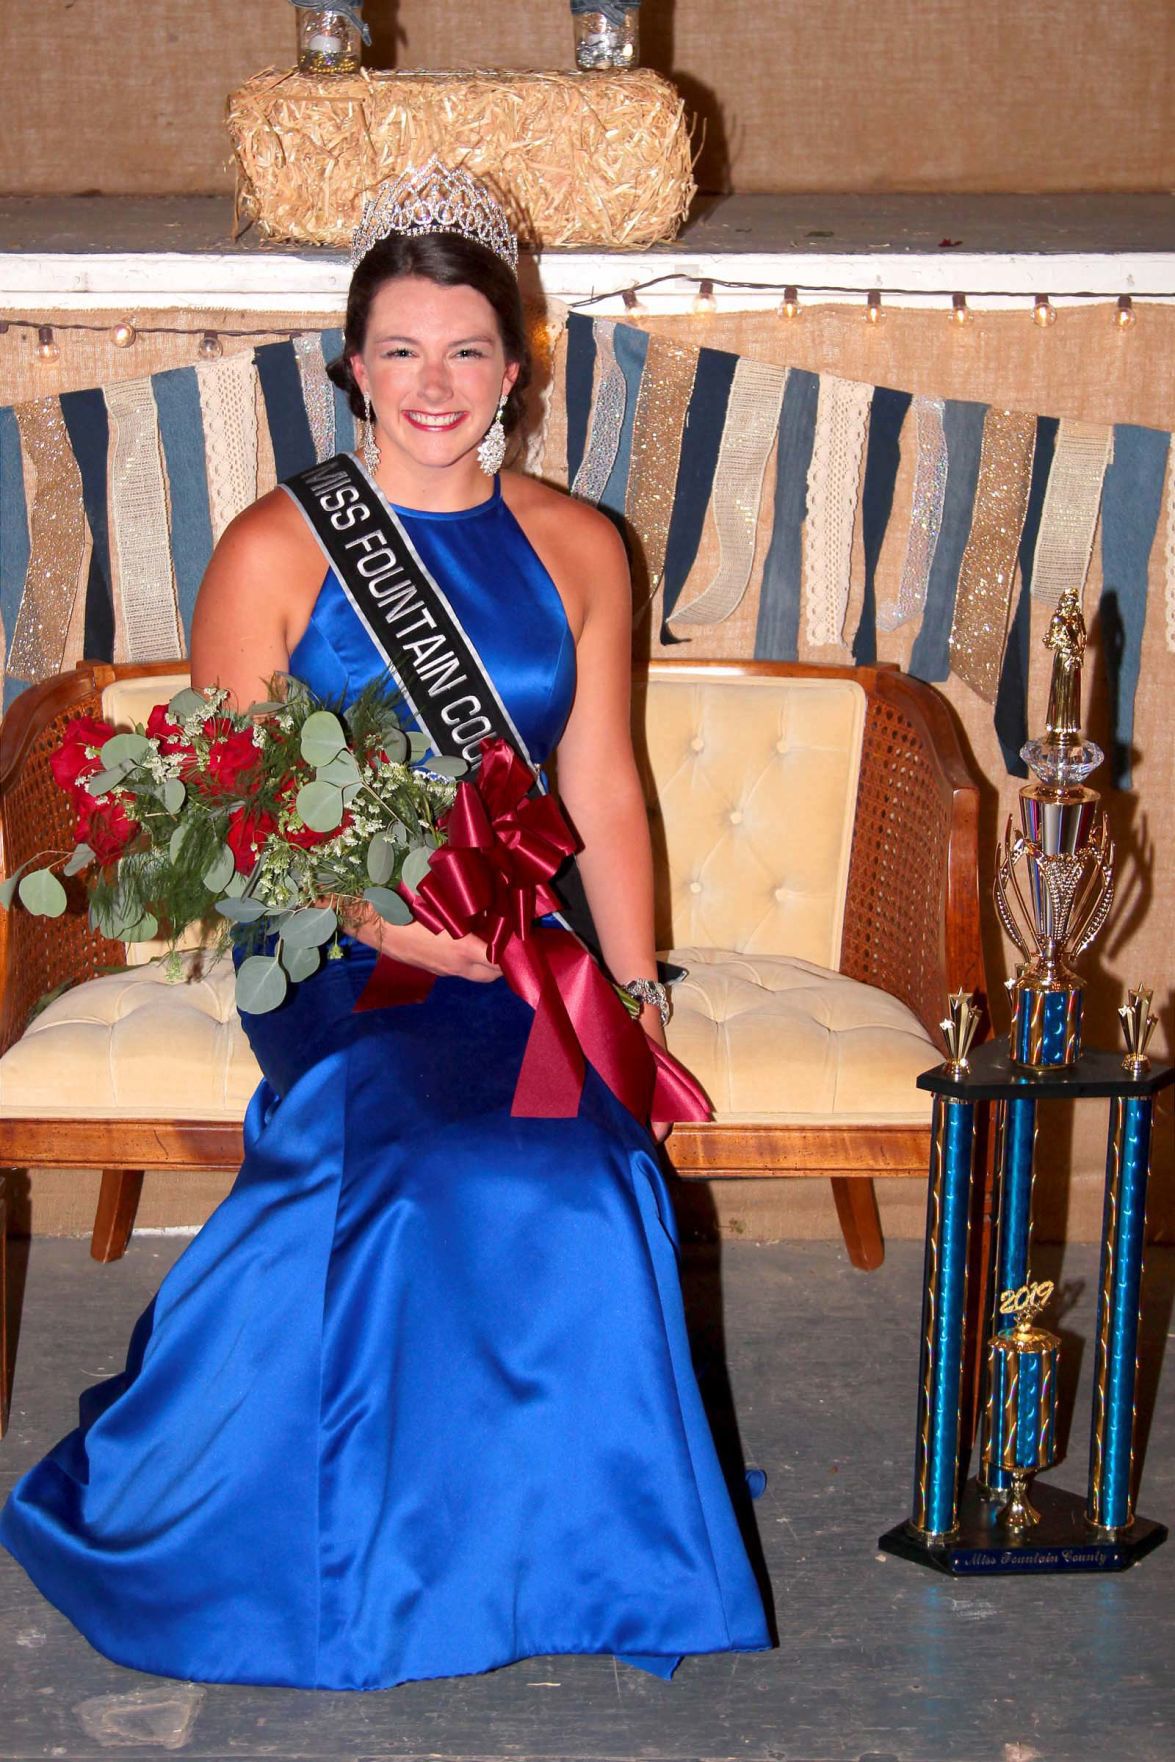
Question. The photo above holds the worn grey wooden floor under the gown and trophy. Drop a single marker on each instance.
(878, 1661)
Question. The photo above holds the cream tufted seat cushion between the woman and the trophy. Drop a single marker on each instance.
(785, 1042)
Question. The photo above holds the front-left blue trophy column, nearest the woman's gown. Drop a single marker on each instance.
(943, 1319)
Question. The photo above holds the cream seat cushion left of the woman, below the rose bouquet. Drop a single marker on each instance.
(135, 1046)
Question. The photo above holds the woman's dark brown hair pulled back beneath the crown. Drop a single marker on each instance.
(452, 262)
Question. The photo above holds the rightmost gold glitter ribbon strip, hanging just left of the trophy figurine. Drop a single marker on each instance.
(989, 566)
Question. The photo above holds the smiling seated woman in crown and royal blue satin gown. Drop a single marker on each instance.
(418, 1400)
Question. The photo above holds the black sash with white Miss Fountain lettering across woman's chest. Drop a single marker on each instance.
(415, 630)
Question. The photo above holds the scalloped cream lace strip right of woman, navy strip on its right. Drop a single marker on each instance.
(834, 491)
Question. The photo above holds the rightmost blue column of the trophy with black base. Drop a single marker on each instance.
(1116, 1359)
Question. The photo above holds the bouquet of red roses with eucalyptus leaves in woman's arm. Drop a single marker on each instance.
(279, 824)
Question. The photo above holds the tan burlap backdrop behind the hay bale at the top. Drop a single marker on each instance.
(794, 96)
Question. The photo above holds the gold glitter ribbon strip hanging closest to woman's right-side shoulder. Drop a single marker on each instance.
(667, 389)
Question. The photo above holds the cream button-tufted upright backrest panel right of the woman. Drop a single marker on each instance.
(753, 790)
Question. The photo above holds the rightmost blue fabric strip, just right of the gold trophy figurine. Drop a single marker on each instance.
(1130, 515)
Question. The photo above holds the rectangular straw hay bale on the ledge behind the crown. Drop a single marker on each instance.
(577, 159)
